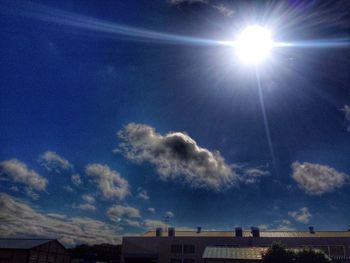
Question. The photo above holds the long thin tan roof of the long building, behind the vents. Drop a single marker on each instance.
(247, 233)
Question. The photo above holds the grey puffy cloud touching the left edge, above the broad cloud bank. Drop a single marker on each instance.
(18, 172)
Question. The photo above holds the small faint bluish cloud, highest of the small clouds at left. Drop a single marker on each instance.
(53, 162)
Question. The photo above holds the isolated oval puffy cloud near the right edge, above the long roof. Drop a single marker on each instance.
(316, 179)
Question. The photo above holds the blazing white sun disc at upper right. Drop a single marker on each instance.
(254, 44)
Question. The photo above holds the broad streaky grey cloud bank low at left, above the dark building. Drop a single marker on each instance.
(18, 219)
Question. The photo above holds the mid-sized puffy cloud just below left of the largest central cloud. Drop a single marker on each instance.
(108, 181)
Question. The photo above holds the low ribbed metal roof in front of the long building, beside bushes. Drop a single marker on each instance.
(251, 253)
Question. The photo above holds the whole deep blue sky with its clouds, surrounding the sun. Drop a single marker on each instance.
(115, 115)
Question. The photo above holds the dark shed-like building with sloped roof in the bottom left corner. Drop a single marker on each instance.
(33, 251)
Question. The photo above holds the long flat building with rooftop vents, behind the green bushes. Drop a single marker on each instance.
(177, 246)
